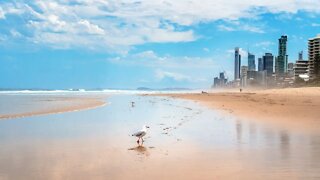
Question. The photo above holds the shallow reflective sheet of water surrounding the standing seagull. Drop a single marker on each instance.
(186, 141)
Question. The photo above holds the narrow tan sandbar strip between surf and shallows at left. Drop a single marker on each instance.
(79, 104)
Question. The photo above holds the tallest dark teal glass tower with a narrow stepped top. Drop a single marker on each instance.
(281, 62)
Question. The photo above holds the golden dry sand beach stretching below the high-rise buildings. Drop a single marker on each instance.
(292, 108)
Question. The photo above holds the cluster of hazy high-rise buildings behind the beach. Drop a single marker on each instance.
(275, 71)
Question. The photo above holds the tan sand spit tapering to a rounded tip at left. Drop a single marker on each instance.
(55, 105)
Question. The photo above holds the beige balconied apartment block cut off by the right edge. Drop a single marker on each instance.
(314, 50)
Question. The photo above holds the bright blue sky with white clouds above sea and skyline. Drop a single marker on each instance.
(62, 44)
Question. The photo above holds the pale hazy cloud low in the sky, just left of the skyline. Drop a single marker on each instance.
(190, 69)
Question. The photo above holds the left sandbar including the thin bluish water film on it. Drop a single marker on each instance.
(42, 105)
